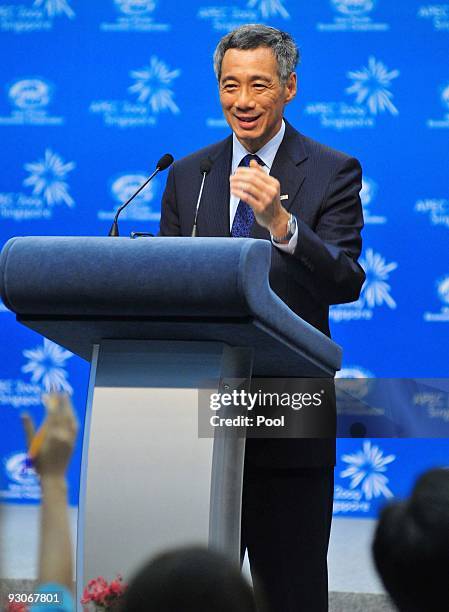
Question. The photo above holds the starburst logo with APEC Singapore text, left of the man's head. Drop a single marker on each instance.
(151, 94)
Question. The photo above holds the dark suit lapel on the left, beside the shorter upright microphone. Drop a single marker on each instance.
(214, 212)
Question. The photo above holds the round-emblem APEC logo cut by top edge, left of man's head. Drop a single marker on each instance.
(134, 16)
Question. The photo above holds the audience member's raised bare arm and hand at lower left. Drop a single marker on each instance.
(51, 458)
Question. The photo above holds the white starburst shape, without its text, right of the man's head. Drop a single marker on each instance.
(371, 86)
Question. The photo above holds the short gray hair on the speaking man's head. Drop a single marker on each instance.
(254, 35)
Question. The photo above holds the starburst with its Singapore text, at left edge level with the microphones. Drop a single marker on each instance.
(47, 188)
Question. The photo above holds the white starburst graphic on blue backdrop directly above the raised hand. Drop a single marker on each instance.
(46, 366)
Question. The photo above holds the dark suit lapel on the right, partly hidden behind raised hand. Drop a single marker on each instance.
(289, 167)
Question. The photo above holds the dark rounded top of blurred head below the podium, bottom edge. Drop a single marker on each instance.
(189, 580)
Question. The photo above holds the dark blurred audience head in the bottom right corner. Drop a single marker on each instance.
(411, 546)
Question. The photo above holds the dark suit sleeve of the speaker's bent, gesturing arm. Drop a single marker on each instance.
(328, 254)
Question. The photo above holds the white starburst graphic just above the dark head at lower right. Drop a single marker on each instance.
(367, 468)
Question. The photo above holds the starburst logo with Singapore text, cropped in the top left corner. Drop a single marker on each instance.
(34, 15)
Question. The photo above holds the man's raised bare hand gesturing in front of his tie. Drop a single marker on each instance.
(262, 192)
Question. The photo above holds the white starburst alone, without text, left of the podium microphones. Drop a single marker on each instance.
(46, 178)
